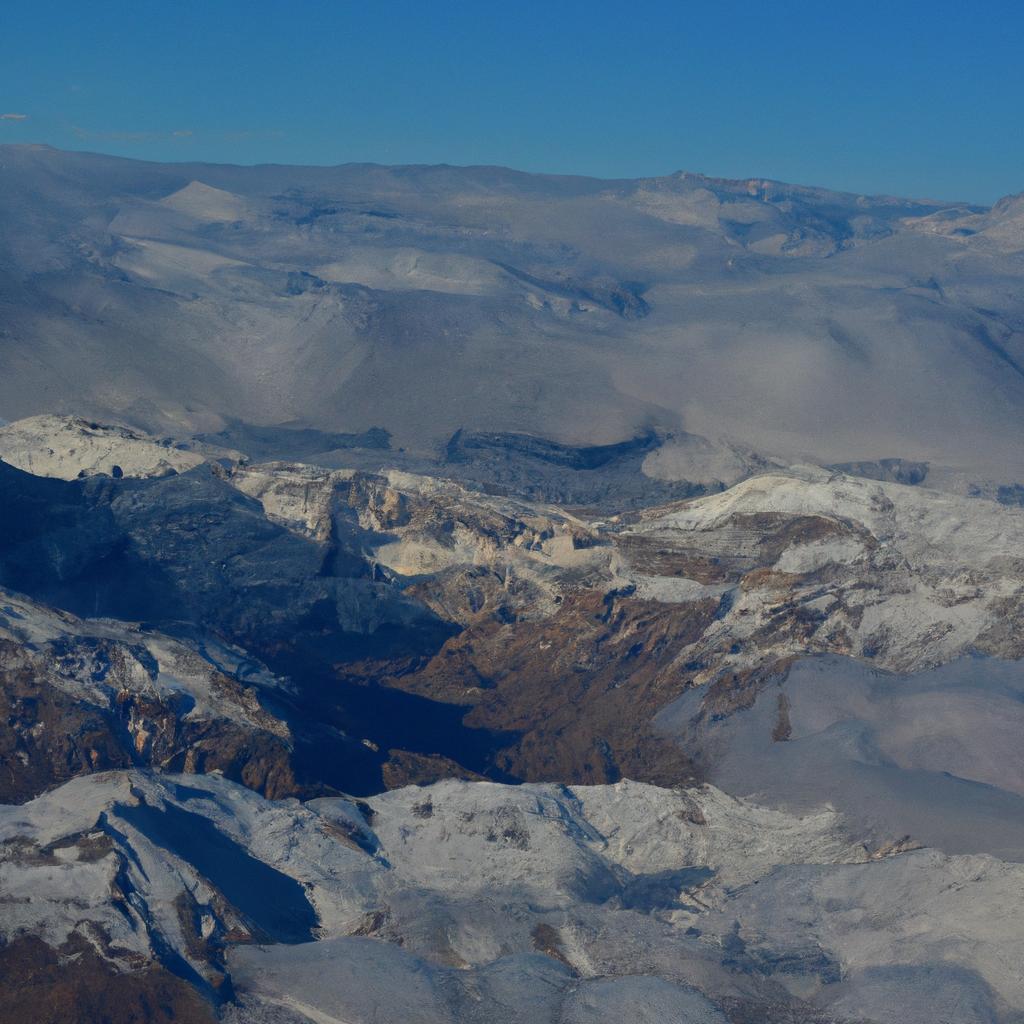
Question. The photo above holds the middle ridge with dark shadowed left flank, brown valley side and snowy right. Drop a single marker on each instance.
(568, 632)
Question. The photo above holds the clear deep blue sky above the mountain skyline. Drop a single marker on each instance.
(922, 99)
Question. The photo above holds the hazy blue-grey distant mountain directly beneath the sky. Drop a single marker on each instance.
(423, 301)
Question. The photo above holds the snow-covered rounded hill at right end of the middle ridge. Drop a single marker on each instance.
(908, 577)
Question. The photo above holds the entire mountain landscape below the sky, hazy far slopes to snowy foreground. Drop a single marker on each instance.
(439, 595)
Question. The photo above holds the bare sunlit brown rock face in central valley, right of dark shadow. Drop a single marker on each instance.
(581, 688)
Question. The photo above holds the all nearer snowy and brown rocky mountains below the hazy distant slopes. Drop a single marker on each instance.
(765, 741)
